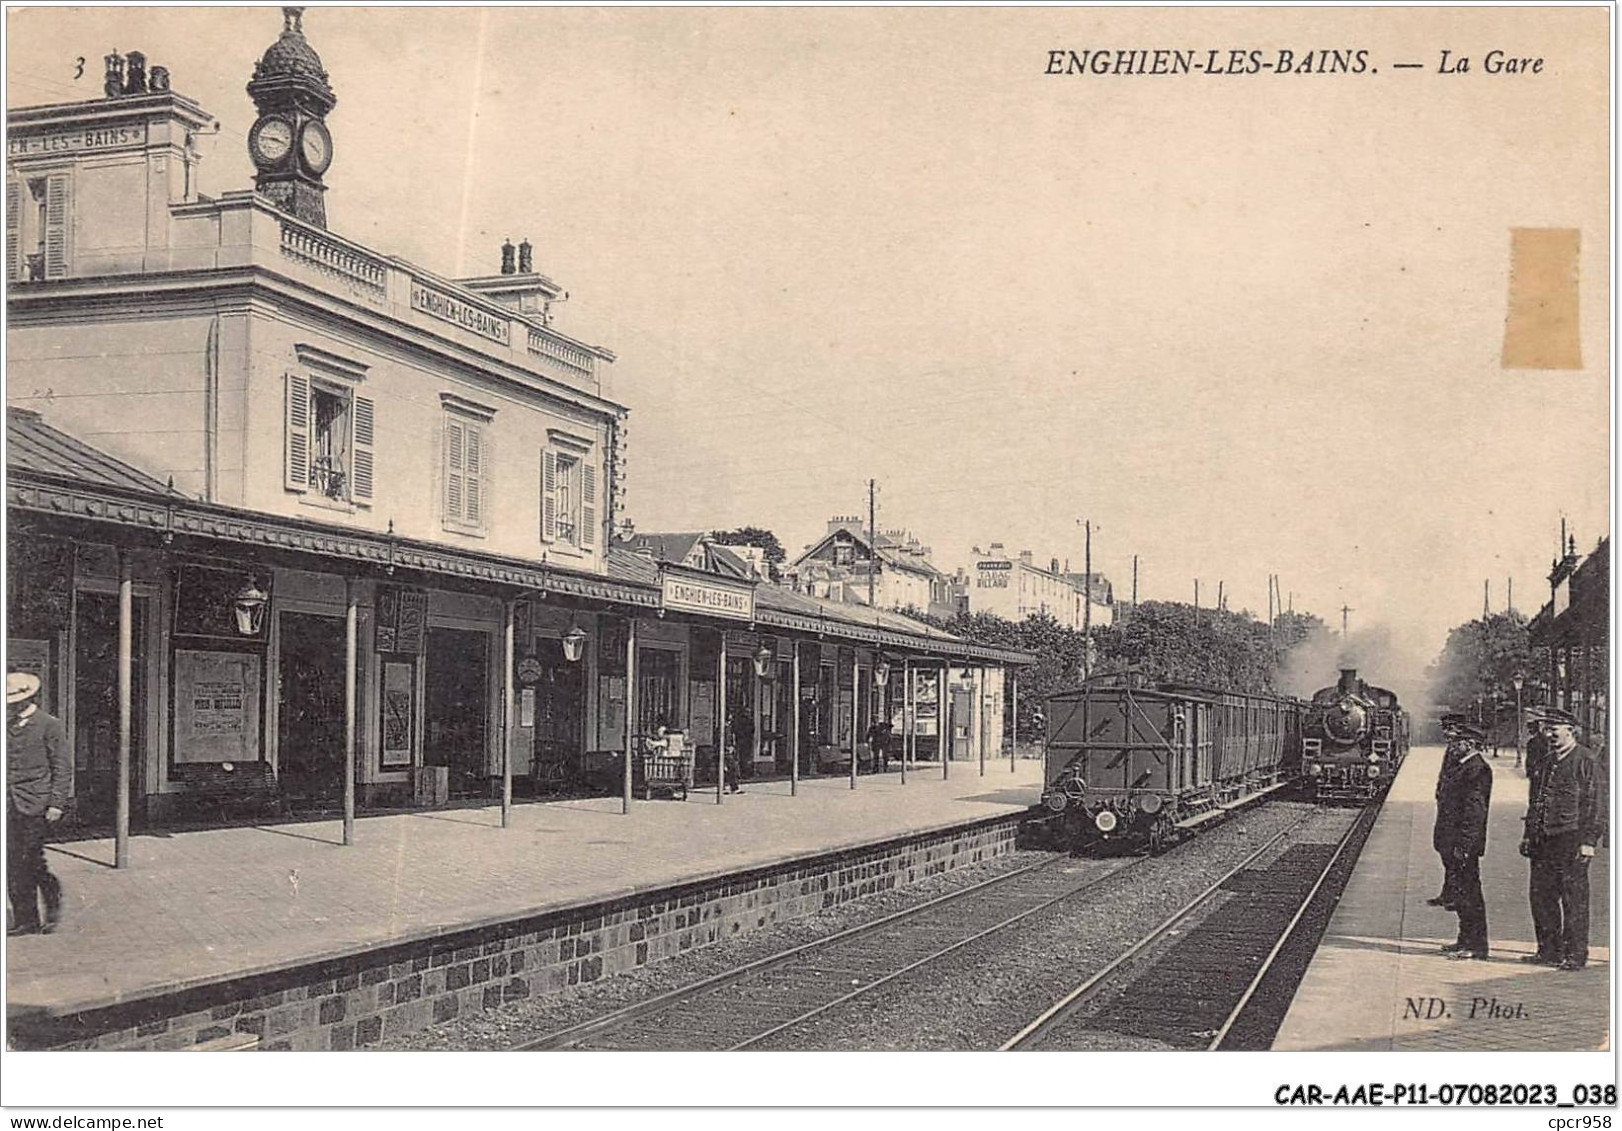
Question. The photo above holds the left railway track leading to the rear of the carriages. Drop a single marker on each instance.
(744, 1007)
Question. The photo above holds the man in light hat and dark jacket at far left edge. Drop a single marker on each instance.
(40, 783)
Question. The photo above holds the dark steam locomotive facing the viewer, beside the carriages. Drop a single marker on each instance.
(1354, 739)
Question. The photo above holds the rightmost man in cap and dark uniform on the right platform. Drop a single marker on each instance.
(1566, 820)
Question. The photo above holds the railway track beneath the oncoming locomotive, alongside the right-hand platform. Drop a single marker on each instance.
(1227, 979)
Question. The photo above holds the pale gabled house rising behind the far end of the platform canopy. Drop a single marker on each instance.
(838, 567)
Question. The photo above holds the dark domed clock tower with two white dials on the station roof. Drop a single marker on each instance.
(290, 144)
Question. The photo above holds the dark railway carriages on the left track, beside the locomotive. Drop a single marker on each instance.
(1149, 765)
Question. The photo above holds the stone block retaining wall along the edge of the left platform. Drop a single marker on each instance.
(354, 1002)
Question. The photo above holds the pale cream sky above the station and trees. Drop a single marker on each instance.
(1245, 325)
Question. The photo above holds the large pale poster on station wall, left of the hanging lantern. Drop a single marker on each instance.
(217, 707)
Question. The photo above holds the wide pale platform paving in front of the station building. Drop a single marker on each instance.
(210, 905)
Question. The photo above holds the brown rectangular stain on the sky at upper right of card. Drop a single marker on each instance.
(1540, 329)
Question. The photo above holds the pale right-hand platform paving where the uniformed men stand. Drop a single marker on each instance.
(1380, 963)
